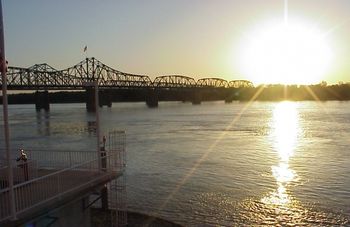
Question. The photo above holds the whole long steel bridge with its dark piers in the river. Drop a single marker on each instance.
(43, 77)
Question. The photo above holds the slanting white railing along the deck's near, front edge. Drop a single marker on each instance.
(39, 190)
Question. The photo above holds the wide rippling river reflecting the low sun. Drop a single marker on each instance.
(239, 164)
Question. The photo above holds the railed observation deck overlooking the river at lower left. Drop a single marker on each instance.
(50, 179)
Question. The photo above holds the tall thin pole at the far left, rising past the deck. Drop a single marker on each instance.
(5, 115)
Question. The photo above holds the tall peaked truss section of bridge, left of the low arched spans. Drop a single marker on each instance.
(45, 77)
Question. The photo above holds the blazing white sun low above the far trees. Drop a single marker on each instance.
(285, 53)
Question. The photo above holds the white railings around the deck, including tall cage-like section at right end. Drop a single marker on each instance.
(52, 174)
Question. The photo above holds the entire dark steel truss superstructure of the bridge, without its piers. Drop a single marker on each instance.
(45, 77)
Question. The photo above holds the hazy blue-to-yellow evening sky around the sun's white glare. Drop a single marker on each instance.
(195, 38)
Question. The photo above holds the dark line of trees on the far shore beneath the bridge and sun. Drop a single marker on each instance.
(263, 93)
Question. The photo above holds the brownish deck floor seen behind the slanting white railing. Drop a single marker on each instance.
(41, 192)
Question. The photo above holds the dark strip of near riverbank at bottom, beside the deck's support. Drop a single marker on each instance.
(100, 218)
